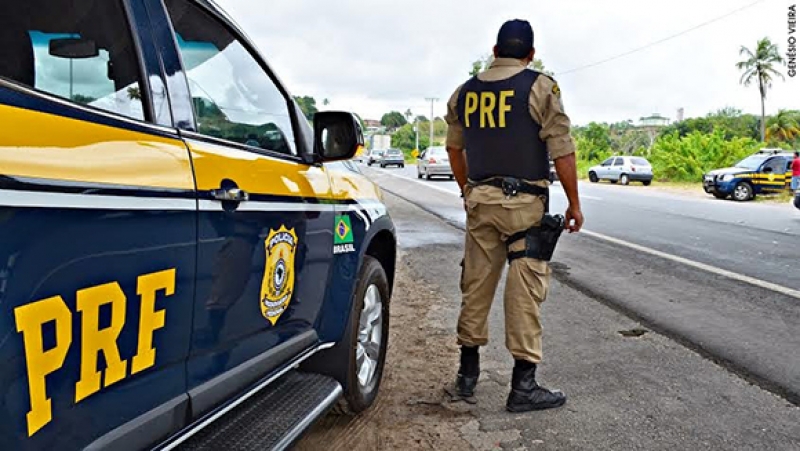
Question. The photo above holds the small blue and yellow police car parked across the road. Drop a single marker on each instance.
(766, 171)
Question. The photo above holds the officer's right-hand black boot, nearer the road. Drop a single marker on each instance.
(526, 394)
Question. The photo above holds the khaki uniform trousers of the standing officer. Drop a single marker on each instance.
(491, 219)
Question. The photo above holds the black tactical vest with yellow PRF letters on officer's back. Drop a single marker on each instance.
(501, 137)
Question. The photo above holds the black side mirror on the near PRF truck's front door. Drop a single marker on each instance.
(337, 136)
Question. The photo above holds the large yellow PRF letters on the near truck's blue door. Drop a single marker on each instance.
(31, 319)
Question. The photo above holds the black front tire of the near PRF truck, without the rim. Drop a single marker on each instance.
(341, 361)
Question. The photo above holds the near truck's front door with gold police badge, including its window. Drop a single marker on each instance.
(265, 221)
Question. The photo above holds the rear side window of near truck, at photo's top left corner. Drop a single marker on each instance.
(81, 50)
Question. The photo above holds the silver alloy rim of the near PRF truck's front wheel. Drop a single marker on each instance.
(370, 336)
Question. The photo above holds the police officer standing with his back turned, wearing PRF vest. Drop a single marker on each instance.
(505, 125)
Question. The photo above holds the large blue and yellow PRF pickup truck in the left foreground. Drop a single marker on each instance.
(185, 261)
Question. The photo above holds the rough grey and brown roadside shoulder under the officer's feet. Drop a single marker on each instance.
(643, 392)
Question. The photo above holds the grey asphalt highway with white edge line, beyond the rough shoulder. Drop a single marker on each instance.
(743, 312)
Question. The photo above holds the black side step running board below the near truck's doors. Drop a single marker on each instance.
(272, 419)
